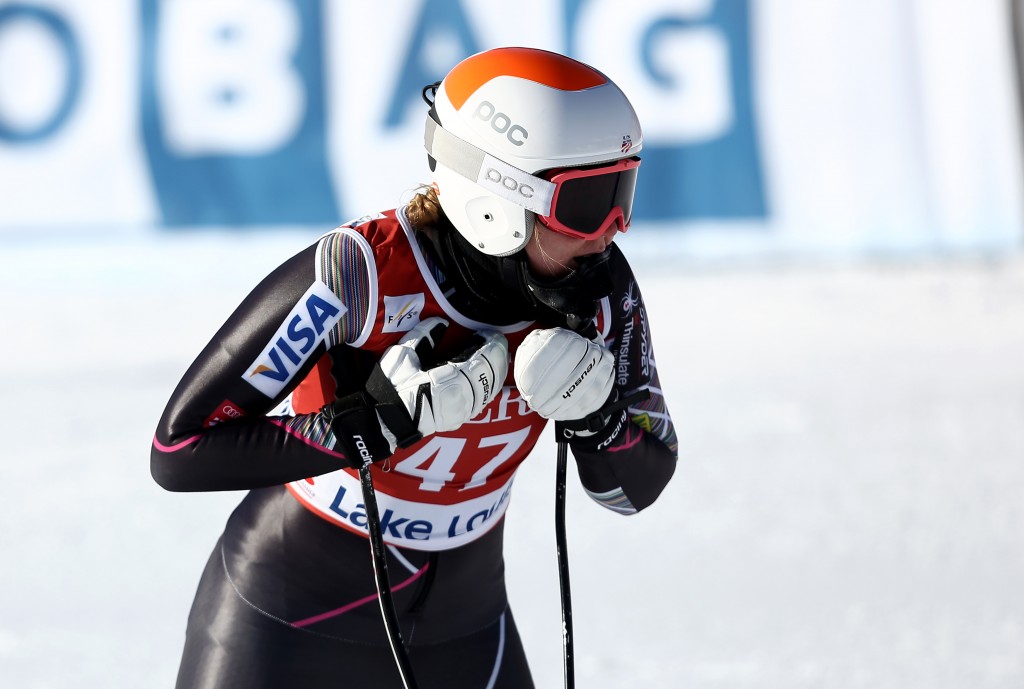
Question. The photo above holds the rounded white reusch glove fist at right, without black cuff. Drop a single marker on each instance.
(563, 375)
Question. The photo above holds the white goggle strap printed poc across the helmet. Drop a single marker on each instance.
(497, 177)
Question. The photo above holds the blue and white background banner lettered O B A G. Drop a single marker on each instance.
(300, 112)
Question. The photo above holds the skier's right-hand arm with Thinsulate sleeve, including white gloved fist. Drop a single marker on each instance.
(608, 400)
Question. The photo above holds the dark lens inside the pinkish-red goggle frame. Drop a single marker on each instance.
(584, 203)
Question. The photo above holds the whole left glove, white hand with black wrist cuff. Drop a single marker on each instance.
(407, 399)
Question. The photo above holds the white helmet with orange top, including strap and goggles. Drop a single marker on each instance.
(520, 135)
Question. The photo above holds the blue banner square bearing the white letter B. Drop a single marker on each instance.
(234, 118)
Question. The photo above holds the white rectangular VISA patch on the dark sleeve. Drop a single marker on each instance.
(306, 327)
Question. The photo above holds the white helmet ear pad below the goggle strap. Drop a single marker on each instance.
(492, 225)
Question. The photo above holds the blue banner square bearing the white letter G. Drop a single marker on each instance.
(713, 168)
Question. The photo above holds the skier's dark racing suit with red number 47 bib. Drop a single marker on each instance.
(288, 596)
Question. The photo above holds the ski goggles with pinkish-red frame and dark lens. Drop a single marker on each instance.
(587, 202)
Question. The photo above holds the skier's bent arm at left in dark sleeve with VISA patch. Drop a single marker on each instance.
(215, 435)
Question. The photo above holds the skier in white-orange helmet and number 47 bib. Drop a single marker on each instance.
(436, 341)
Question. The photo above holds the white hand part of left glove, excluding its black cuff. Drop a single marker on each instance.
(444, 398)
